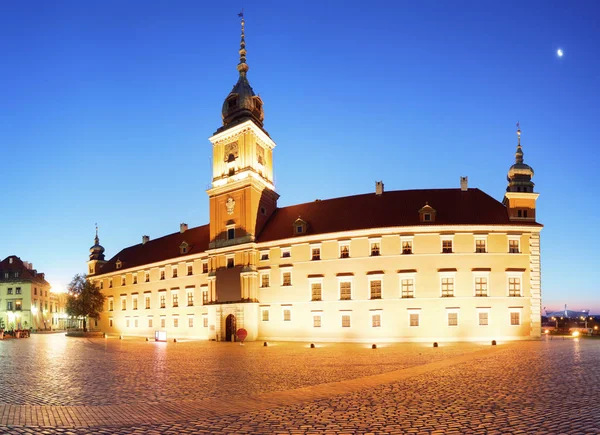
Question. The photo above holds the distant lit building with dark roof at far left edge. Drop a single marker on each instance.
(25, 297)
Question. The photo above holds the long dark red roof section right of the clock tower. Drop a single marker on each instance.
(391, 209)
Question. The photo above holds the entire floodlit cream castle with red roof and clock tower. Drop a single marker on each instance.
(413, 265)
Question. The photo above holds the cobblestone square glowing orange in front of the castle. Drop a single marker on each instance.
(541, 387)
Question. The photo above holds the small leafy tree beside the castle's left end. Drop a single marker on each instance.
(84, 299)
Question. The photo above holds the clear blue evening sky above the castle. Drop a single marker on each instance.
(107, 107)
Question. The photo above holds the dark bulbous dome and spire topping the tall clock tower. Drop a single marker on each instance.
(242, 104)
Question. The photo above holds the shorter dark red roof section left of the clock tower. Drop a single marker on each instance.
(160, 249)
